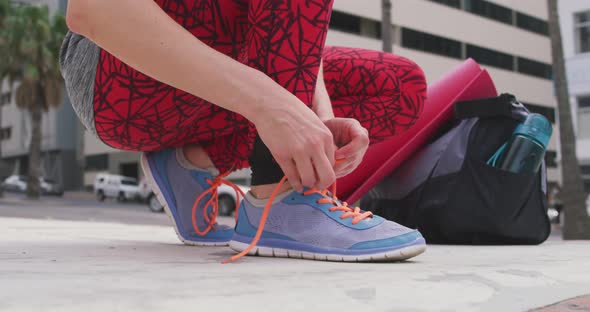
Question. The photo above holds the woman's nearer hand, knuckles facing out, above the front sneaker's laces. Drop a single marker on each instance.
(299, 141)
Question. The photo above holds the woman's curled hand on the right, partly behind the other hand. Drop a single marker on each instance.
(352, 141)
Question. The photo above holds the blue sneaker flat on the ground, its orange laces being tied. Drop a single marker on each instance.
(314, 225)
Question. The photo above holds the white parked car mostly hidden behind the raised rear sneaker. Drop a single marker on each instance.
(227, 198)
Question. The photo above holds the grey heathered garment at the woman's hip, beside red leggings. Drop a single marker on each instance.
(78, 60)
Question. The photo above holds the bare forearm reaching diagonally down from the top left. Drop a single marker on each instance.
(142, 35)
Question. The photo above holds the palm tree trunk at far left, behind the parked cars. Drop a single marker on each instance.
(33, 185)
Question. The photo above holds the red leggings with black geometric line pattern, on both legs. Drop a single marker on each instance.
(282, 38)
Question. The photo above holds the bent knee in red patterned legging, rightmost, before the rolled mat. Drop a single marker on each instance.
(385, 92)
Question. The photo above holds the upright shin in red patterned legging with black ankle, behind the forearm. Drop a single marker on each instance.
(285, 42)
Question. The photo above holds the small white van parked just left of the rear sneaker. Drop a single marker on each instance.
(116, 186)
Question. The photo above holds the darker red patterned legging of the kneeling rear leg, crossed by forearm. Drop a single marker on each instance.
(134, 112)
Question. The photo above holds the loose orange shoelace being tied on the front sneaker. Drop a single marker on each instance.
(349, 212)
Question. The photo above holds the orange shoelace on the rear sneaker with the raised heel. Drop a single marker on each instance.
(213, 202)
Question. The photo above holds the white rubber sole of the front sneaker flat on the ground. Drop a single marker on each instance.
(390, 256)
